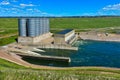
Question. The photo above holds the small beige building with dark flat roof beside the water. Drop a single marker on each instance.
(65, 37)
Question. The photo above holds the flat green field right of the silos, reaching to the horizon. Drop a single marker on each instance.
(84, 23)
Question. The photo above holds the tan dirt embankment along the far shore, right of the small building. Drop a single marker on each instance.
(99, 36)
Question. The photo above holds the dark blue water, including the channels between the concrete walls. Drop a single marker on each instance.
(90, 53)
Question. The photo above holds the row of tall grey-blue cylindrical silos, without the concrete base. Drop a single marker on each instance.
(31, 27)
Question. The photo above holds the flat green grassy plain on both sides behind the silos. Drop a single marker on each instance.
(9, 26)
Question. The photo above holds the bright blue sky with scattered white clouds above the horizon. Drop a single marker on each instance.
(59, 7)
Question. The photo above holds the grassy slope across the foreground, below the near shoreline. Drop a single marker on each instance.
(11, 71)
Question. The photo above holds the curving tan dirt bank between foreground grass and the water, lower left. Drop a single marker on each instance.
(17, 59)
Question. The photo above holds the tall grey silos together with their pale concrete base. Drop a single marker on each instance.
(33, 30)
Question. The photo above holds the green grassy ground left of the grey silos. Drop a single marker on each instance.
(8, 26)
